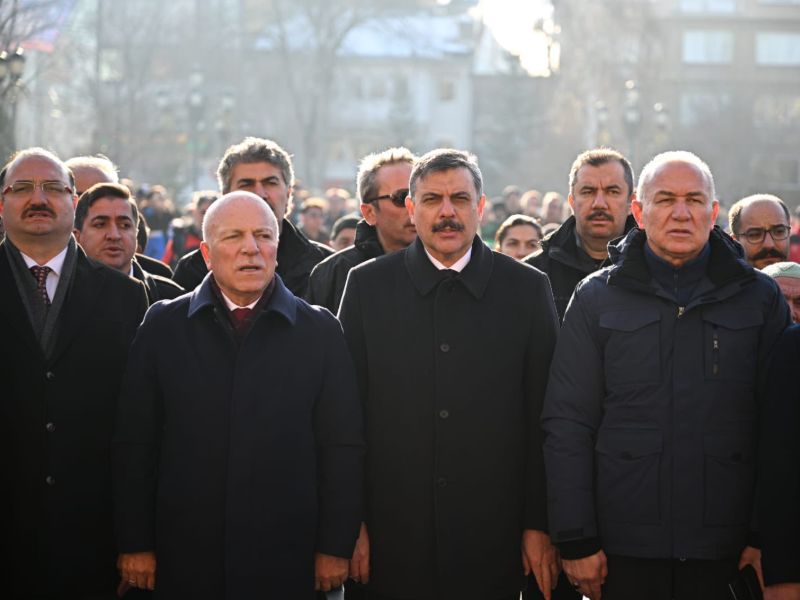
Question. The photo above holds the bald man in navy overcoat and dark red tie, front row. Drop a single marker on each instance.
(240, 477)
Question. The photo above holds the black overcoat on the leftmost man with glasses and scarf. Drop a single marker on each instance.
(56, 422)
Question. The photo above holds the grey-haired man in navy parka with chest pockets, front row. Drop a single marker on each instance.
(652, 403)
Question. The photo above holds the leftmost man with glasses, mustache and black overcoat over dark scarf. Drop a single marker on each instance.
(66, 323)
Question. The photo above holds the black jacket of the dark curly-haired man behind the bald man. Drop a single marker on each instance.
(297, 256)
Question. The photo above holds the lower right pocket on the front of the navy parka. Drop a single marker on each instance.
(729, 478)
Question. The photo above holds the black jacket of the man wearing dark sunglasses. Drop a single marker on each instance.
(326, 284)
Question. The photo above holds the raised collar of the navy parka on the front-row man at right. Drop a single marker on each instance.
(725, 263)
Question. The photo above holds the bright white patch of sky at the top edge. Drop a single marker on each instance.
(512, 23)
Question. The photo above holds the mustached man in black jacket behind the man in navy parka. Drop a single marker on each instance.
(600, 194)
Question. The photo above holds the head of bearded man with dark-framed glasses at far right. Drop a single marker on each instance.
(760, 223)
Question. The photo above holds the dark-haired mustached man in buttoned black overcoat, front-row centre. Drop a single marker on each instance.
(452, 344)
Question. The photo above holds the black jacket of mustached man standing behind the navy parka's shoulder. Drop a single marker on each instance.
(557, 258)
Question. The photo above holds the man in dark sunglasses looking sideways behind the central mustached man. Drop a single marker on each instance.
(382, 183)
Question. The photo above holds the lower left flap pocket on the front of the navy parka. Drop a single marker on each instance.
(628, 475)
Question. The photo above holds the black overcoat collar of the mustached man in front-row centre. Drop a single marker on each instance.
(474, 277)
